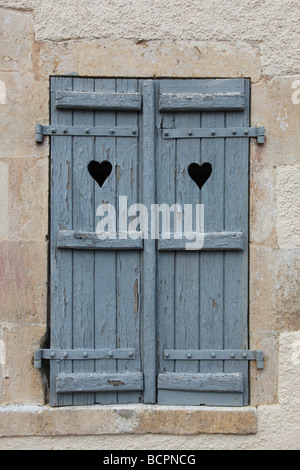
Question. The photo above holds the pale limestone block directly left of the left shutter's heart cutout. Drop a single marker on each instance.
(28, 198)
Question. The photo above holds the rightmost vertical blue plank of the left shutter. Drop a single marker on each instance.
(128, 263)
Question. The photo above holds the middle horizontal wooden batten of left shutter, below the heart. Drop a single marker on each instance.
(79, 240)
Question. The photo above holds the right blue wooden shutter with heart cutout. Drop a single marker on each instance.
(202, 303)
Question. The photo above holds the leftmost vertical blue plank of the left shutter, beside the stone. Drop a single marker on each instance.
(61, 261)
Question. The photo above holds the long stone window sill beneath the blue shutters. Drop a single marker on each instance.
(125, 419)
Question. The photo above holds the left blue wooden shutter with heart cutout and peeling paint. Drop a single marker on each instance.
(95, 287)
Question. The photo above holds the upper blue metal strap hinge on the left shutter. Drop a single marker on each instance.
(41, 131)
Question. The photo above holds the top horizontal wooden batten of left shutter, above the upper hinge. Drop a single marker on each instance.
(99, 101)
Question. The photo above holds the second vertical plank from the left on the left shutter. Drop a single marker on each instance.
(83, 263)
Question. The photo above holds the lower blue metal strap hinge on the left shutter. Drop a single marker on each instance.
(81, 355)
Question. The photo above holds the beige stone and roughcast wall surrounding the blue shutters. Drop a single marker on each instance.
(259, 40)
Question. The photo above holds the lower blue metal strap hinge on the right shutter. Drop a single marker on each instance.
(214, 355)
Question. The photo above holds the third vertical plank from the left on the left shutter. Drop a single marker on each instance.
(105, 262)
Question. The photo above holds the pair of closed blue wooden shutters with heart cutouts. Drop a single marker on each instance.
(146, 320)
